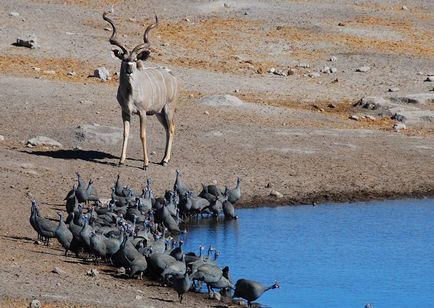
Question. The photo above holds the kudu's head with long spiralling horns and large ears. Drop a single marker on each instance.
(131, 59)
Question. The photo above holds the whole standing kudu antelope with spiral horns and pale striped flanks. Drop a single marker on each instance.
(144, 91)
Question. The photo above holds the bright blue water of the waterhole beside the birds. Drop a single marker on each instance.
(330, 255)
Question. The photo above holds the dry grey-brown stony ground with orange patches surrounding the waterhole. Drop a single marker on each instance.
(336, 103)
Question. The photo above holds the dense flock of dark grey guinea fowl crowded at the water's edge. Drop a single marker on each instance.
(138, 232)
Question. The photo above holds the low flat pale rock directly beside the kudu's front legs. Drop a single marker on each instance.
(101, 134)
